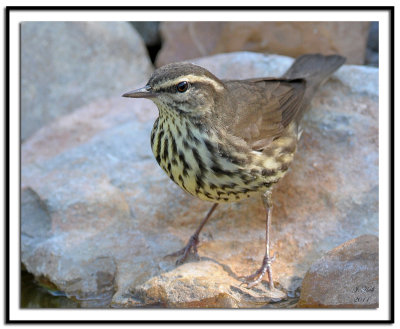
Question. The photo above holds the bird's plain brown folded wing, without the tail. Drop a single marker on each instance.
(263, 108)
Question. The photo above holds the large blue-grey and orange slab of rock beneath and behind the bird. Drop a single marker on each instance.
(105, 200)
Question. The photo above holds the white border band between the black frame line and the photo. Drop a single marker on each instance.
(156, 314)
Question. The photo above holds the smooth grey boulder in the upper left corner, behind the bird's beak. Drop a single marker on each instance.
(65, 65)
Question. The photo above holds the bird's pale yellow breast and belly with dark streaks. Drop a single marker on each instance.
(195, 163)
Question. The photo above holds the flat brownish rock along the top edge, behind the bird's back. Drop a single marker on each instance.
(188, 40)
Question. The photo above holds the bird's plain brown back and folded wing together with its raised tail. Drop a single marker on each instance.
(262, 109)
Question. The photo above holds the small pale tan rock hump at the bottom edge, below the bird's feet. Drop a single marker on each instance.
(203, 285)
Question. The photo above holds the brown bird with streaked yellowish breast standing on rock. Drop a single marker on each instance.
(226, 140)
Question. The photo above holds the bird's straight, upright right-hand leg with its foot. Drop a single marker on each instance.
(256, 277)
